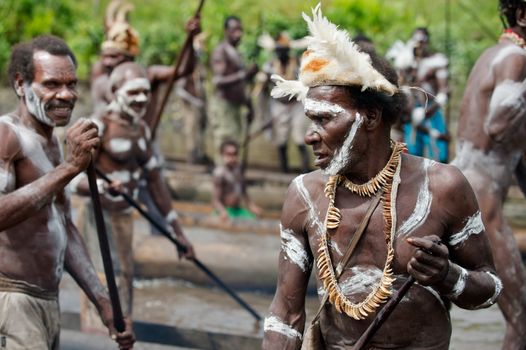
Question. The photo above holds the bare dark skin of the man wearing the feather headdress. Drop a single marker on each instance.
(424, 252)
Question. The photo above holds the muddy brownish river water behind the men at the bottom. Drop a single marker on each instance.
(185, 305)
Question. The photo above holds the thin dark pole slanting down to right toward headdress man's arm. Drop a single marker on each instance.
(182, 248)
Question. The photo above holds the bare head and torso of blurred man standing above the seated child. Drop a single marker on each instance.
(229, 74)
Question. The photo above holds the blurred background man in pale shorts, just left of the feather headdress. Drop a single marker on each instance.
(287, 115)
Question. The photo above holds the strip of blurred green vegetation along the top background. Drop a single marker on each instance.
(474, 26)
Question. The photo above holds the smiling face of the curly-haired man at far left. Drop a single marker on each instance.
(52, 94)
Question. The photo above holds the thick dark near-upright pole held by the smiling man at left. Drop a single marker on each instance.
(118, 319)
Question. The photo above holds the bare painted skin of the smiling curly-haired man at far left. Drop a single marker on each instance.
(38, 239)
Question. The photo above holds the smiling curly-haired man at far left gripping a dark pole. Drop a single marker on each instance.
(37, 237)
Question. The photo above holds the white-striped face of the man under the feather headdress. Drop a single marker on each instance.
(334, 124)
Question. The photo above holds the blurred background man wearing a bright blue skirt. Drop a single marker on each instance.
(427, 133)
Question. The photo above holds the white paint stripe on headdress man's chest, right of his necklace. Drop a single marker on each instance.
(422, 206)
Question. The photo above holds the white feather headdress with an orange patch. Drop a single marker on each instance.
(331, 59)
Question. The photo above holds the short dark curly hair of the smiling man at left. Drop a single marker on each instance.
(21, 61)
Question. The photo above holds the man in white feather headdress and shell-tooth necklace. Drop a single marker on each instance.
(427, 224)
